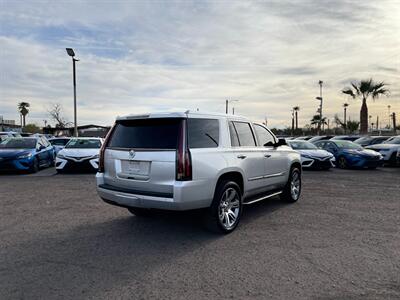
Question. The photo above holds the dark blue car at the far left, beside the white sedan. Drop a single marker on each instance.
(26, 154)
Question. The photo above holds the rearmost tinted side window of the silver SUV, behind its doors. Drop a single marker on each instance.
(203, 133)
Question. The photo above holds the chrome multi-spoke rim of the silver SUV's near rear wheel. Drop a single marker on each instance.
(229, 208)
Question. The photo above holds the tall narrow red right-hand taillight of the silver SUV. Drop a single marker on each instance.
(183, 158)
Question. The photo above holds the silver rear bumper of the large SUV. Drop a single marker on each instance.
(185, 196)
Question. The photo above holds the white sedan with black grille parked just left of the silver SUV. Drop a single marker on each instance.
(79, 154)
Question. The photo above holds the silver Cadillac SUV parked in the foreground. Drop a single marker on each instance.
(191, 160)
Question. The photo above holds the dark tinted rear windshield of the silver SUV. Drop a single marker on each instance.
(146, 134)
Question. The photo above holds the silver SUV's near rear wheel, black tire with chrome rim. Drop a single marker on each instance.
(222, 211)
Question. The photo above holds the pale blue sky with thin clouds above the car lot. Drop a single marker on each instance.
(140, 56)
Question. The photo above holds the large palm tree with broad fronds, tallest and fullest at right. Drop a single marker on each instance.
(363, 89)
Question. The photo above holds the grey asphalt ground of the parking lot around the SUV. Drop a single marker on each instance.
(340, 241)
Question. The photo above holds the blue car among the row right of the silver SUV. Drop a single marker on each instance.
(351, 155)
